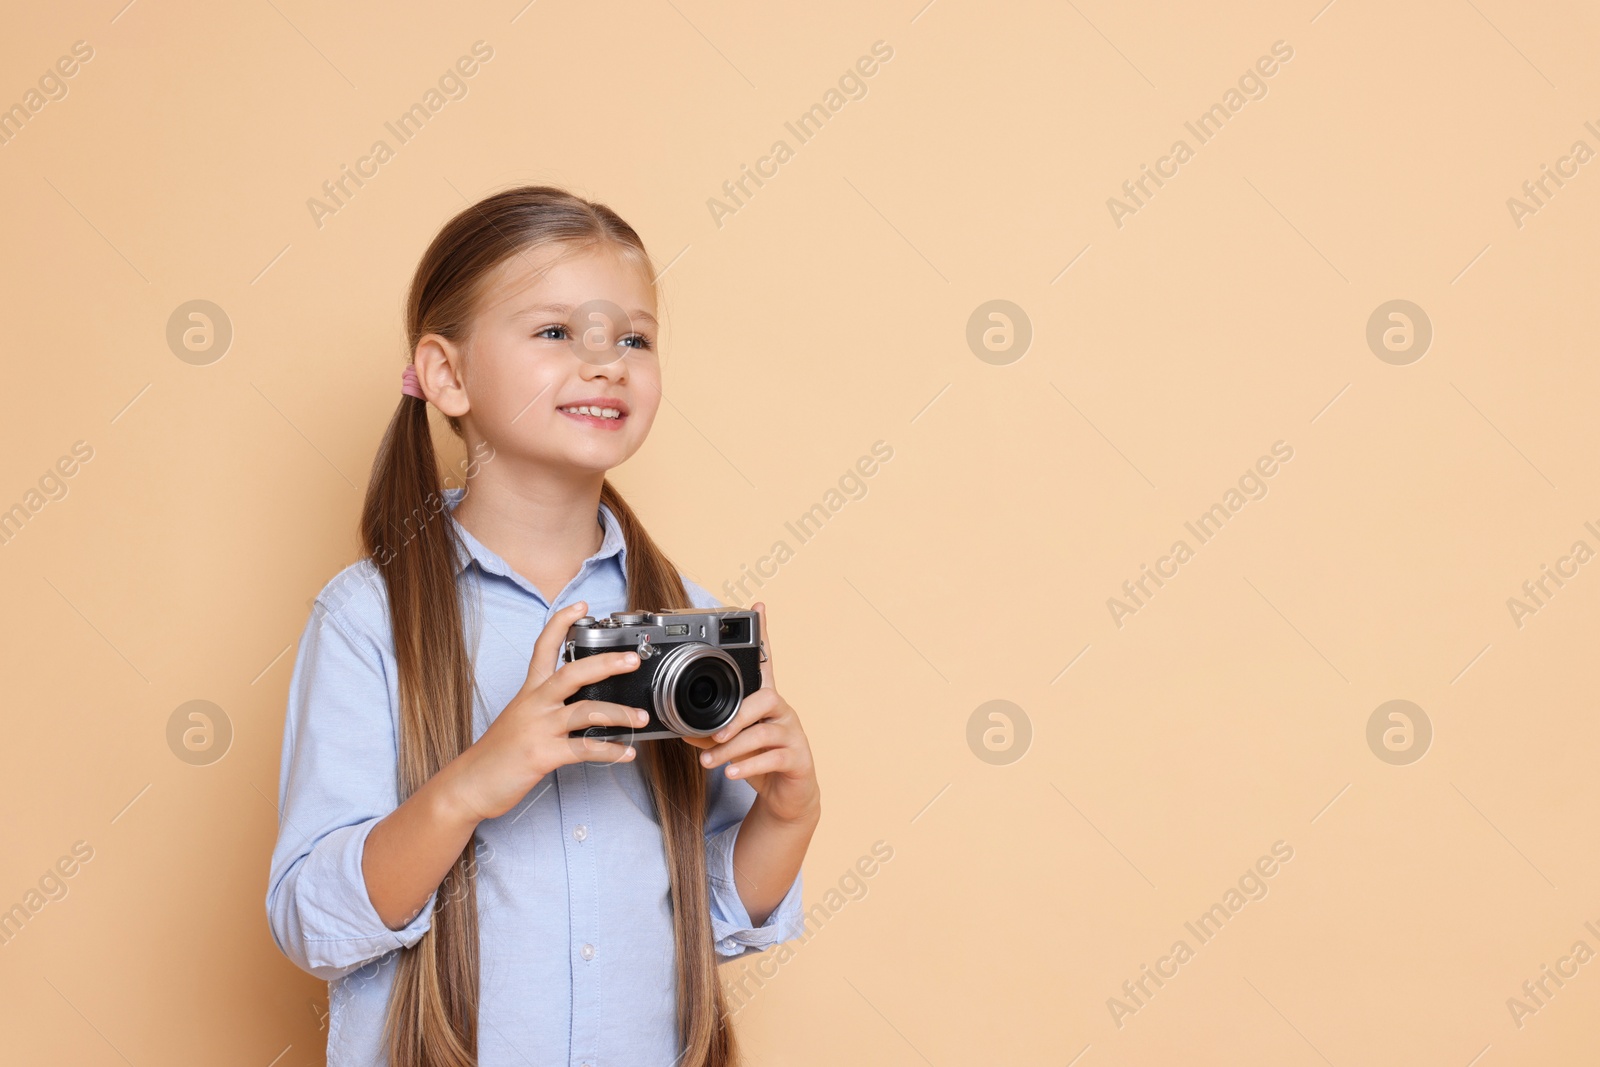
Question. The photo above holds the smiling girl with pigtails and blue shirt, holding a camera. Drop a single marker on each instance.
(476, 885)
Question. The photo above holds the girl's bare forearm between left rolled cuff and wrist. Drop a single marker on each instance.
(412, 850)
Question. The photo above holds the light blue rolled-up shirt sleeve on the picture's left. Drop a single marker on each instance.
(338, 780)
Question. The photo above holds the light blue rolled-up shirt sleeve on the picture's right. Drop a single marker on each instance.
(727, 802)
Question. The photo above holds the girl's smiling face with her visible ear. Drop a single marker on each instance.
(559, 367)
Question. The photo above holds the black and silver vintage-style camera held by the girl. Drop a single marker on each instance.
(695, 669)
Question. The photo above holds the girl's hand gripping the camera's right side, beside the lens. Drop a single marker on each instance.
(767, 748)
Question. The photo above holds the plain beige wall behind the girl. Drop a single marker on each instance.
(831, 313)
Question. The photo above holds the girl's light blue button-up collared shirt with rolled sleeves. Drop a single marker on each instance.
(578, 961)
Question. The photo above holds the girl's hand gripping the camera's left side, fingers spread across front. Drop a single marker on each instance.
(530, 738)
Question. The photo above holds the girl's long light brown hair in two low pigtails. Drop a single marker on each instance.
(434, 1007)
